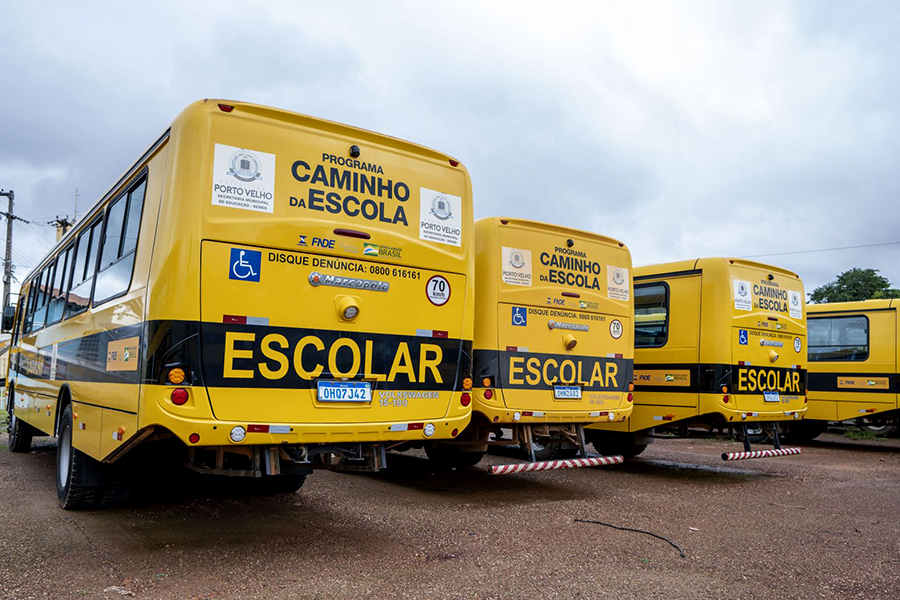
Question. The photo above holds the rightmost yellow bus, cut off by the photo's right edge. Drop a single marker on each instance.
(853, 359)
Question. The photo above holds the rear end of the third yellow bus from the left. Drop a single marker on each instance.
(765, 382)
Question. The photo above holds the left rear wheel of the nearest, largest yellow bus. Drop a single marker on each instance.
(73, 470)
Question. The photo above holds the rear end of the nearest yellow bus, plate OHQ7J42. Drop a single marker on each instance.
(314, 303)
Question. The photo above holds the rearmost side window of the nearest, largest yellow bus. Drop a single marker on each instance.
(119, 244)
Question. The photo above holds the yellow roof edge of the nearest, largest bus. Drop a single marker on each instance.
(250, 109)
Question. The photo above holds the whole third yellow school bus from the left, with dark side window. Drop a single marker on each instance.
(720, 344)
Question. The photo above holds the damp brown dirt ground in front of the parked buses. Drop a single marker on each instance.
(825, 524)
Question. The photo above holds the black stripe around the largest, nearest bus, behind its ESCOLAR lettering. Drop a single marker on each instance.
(199, 348)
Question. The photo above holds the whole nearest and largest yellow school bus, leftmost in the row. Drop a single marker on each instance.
(267, 290)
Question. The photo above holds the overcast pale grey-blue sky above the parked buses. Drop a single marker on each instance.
(683, 129)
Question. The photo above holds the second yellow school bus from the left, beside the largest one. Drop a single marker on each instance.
(553, 339)
